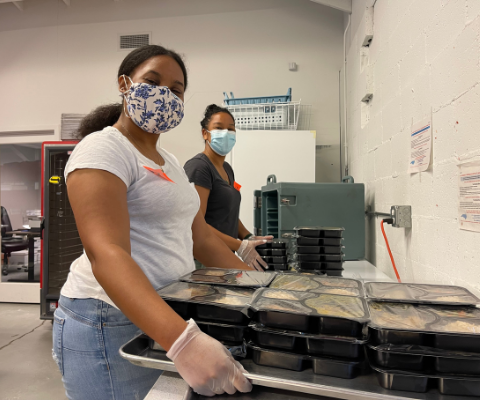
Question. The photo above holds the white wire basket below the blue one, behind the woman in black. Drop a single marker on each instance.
(278, 116)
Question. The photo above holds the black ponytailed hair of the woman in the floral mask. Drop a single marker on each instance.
(108, 115)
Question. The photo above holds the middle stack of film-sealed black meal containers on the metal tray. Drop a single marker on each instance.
(310, 325)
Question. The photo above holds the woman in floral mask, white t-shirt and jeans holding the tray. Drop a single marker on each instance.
(140, 225)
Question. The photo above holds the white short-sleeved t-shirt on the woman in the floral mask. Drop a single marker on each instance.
(161, 212)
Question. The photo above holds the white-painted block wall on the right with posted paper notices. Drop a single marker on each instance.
(424, 58)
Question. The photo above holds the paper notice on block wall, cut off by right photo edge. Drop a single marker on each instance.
(469, 196)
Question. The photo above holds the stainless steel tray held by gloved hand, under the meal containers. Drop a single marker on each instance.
(365, 387)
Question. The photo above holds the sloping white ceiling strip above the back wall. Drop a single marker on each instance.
(26, 14)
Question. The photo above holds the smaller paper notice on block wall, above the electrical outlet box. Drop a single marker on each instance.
(420, 146)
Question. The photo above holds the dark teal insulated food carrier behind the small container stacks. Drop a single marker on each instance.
(280, 207)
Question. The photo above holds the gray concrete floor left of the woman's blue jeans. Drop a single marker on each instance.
(27, 370)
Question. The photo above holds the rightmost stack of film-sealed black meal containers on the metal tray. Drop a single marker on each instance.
(424, 337)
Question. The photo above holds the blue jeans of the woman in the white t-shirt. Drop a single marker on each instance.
(87, 335)
